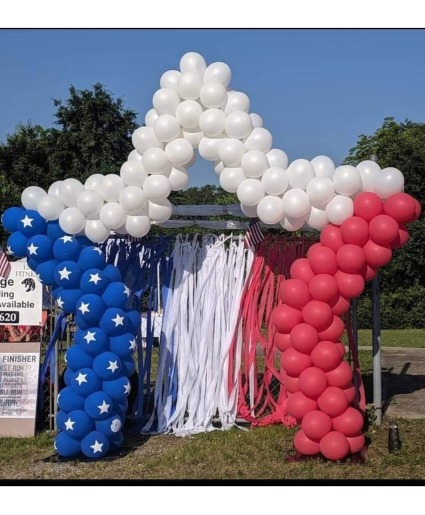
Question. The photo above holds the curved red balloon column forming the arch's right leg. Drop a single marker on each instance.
(308, 326)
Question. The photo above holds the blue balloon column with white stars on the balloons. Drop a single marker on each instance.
(93, 404)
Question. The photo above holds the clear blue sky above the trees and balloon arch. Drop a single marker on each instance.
(317, 90)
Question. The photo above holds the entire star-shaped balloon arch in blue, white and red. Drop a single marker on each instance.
(361, 212)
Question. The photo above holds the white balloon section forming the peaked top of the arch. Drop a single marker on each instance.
(194, 109)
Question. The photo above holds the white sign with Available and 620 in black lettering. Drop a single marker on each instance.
(21, 296)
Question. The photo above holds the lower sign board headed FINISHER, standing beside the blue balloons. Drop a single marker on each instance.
(19, 376)
